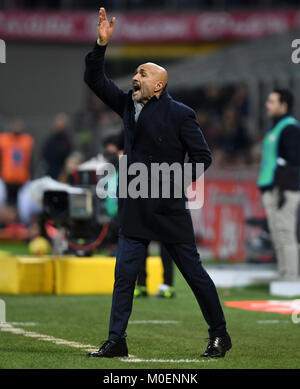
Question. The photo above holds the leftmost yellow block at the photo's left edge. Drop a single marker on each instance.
(26, 275)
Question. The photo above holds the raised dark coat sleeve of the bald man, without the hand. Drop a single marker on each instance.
(98, 82)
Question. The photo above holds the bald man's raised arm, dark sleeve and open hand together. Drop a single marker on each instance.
(95, 76)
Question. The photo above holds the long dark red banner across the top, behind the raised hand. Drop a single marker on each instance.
(148, 27)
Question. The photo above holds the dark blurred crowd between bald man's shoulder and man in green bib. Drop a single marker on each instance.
(223, 115)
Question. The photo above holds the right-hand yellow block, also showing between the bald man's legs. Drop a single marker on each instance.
(96, 275)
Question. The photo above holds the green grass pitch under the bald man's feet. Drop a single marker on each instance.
(84, 319)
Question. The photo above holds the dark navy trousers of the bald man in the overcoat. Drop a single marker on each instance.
(130, 255)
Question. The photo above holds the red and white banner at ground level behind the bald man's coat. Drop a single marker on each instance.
(220, 225)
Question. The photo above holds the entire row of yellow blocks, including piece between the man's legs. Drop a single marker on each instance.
(67, 275)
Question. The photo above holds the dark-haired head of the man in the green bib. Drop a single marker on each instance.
(280, 102)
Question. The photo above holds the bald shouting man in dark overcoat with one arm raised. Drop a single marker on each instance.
(158, 129)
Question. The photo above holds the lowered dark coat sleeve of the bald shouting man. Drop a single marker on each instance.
(194, 143)
